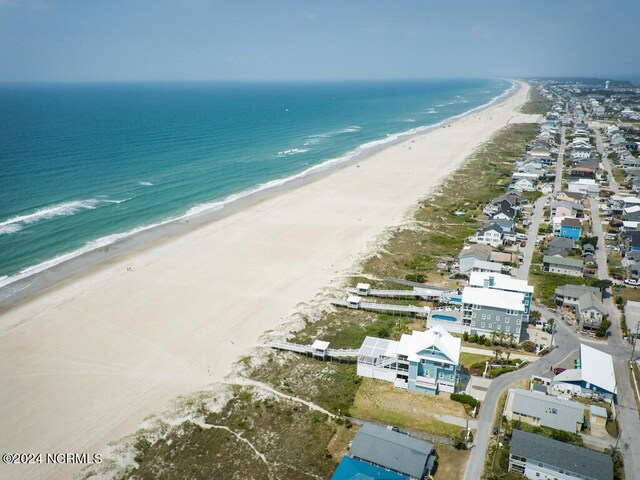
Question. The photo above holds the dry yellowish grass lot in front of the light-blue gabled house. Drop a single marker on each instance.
(380, 401)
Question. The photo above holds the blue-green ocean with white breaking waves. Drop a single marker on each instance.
(83, 165)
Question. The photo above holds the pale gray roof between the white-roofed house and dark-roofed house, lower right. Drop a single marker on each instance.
(553, 412)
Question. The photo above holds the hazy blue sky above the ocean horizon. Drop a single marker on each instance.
(122, 40)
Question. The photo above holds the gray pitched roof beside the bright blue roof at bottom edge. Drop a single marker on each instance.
(392, 450)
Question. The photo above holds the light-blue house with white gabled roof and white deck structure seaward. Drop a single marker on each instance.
(425, 362)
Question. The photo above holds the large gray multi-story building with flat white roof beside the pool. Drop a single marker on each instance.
(489, 311)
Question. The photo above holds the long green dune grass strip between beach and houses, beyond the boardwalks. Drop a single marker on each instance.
(415, 251)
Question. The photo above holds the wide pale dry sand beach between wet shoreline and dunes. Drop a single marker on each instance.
(82, 363)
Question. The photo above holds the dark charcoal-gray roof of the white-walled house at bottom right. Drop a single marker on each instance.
(590, 464)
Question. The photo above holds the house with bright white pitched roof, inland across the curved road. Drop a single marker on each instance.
(593, 378)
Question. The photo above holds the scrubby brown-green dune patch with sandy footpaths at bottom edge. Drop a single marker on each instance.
(292, 438)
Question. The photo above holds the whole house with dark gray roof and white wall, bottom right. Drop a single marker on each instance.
(538, 457)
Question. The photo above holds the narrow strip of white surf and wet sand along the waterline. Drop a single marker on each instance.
(37, 278)
